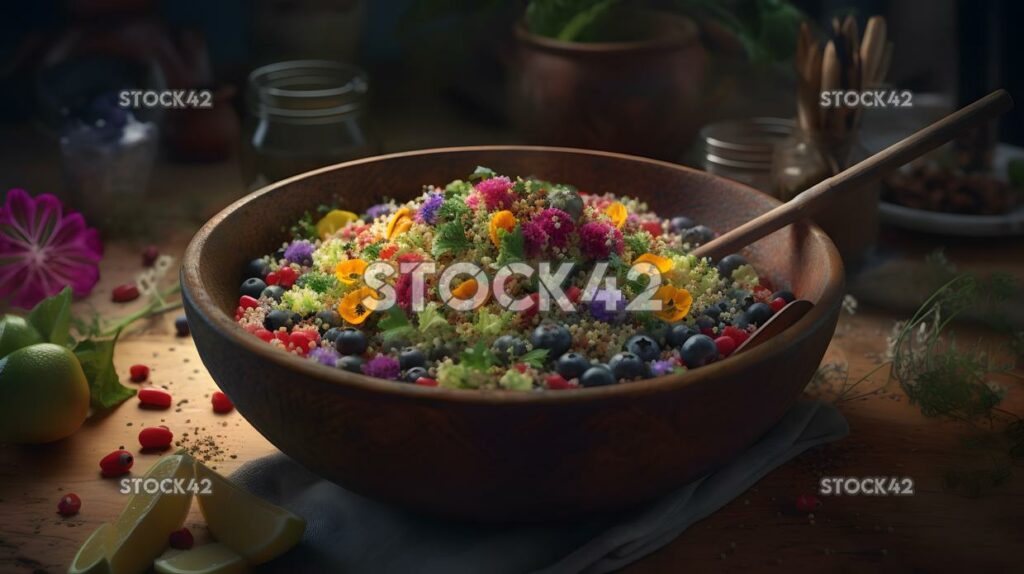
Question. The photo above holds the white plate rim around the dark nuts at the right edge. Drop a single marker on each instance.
(956, 225)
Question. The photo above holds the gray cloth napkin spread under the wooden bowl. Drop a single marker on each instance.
(350, 534)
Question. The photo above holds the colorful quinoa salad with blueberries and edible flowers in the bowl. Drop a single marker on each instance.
(503, 283)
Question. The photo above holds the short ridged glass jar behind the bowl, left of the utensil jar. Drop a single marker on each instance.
(744, 150)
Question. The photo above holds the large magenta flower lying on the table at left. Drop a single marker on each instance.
(44, 250)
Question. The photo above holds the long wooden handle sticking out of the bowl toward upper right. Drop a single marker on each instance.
(856, 179)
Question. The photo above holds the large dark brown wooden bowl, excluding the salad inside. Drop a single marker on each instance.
(501, 456)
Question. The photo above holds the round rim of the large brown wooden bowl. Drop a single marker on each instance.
(200, 302)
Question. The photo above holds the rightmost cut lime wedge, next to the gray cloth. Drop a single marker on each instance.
(250, 526)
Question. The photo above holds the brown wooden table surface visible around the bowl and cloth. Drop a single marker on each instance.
(934, 531)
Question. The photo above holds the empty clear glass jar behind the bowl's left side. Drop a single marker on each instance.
(305, 115)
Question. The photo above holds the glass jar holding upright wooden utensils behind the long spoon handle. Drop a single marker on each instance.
(851, 219)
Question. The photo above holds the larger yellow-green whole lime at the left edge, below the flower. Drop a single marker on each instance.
(45, 395)
